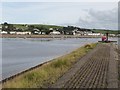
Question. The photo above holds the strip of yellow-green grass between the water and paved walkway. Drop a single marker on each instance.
(50, 72)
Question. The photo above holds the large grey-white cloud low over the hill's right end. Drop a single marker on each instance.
(100, 19)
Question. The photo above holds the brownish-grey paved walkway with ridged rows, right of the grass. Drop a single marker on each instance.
(98, 69)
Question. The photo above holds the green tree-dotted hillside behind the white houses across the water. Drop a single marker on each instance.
(48, 28)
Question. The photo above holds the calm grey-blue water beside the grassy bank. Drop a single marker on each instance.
(20, 54)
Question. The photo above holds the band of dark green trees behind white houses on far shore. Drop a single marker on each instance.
(42, 28)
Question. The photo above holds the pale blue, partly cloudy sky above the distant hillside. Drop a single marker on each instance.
(102, 15)
